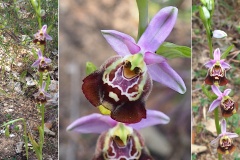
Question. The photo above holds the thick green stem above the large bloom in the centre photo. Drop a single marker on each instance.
(143, 16)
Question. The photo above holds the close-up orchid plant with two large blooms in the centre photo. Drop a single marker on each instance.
(122, 84)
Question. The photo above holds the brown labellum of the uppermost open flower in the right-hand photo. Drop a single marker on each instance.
(216, 75)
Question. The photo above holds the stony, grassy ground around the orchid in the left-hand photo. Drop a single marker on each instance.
(18, 81)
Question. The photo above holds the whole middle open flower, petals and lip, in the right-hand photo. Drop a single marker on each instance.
(227, 105)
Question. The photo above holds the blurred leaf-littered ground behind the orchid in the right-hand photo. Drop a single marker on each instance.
(226, 18)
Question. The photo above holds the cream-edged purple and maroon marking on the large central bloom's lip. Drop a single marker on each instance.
(129, 82)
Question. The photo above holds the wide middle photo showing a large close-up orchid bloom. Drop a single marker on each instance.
(98, 118)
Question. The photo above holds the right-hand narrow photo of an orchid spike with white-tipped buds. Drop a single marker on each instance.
(215, 79)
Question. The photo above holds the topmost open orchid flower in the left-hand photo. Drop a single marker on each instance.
(41, 36)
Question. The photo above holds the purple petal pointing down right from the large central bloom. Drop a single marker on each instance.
(164, 74)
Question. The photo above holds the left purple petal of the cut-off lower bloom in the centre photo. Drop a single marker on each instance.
(93, 123)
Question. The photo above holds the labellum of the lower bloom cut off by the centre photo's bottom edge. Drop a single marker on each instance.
(121, 143)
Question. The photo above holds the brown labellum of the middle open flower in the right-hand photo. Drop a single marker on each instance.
(228, 107)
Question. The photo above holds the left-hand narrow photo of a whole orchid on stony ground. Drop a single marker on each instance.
(28, 80)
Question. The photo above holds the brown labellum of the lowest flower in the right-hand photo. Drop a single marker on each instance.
(225, 145)
